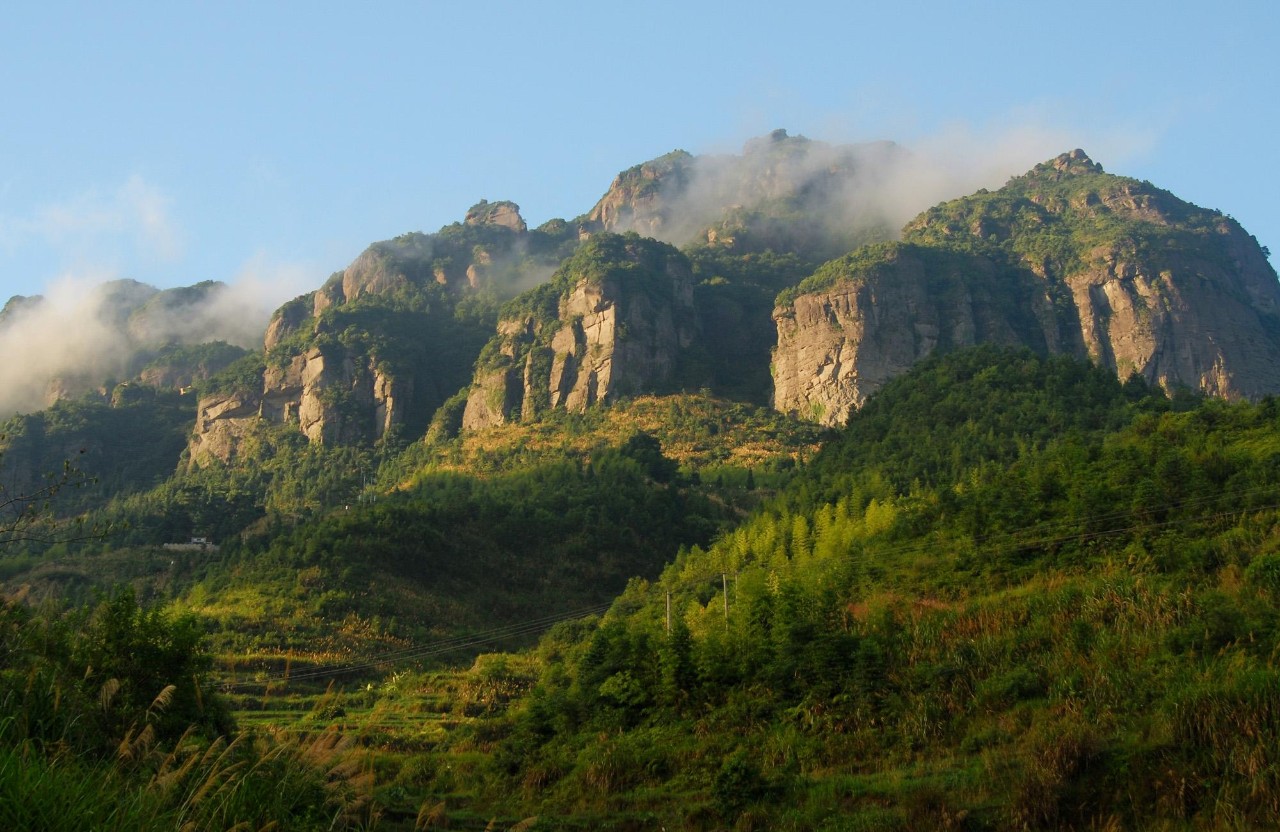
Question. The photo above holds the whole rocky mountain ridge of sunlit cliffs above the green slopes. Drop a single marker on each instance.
(433, 335)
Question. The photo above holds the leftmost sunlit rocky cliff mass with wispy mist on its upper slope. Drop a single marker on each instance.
(385, 342)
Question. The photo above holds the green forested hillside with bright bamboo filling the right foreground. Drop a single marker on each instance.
(1014, 595)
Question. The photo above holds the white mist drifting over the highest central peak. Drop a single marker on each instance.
(847, 193)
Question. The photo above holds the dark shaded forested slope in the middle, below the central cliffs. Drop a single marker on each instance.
(456, 554)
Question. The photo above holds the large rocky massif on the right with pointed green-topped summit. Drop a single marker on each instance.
(1109, 268)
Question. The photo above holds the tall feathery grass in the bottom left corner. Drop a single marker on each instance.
(280, 781)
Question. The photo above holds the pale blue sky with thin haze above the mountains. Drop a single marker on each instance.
(272, 143)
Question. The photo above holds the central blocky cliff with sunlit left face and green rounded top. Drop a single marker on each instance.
(616, 321)
